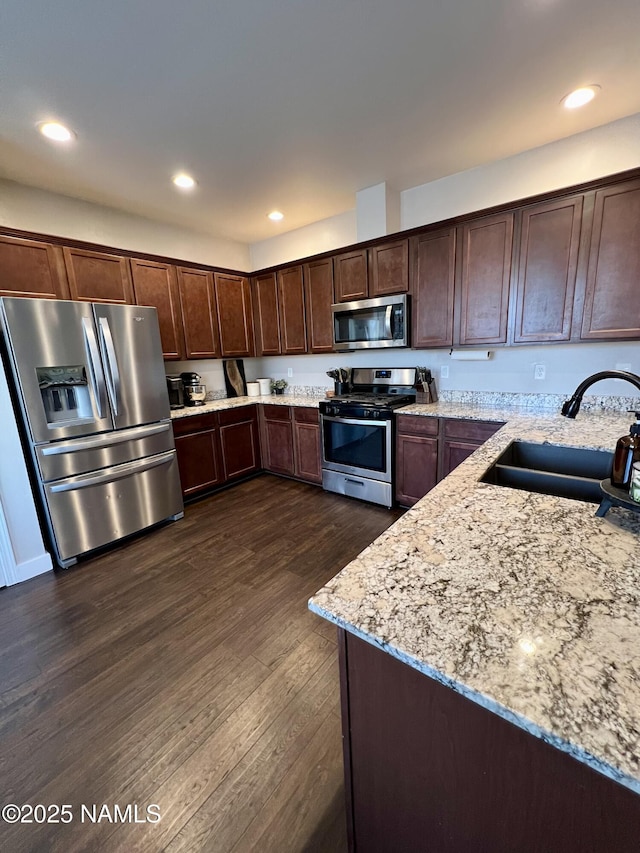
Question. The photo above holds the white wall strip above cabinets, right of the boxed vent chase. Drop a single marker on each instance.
(605, 150)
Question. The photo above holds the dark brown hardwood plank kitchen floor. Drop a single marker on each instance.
(183, 669)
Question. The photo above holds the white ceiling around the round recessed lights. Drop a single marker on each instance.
(295, 104)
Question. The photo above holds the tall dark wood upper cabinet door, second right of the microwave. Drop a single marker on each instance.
(485, 272)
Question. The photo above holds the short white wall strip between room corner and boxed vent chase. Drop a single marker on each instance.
(322, 236)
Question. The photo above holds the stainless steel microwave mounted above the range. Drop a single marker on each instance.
(371, 323)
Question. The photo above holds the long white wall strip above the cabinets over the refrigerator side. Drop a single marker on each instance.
(30, 209)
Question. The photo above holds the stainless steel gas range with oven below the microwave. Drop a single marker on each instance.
(358, 433)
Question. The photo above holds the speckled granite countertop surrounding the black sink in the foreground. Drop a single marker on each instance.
(525, 603)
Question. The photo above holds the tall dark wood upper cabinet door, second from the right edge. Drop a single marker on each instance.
(549, 240)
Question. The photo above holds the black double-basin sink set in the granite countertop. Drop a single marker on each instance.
(549, 469)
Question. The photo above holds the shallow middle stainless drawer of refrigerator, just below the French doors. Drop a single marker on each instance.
(80, 455)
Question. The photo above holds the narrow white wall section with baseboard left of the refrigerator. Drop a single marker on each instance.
(23, 552)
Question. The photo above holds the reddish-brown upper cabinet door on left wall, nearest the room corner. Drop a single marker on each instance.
(233, 303)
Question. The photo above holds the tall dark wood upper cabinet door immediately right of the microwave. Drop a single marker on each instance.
(432, 287)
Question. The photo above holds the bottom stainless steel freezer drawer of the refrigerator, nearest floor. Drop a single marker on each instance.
(94, 509)
